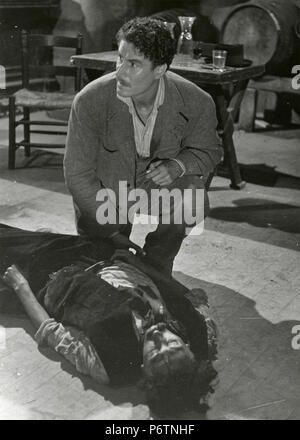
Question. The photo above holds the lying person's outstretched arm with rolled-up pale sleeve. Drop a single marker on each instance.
(70, 343)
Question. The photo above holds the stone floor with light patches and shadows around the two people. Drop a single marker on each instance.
(246, 260)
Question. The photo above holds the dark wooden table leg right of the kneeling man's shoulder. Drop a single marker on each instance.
(226, 115)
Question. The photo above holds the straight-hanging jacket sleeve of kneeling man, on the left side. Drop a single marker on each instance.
(80, 162)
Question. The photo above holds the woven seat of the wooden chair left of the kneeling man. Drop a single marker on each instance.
(44, 100)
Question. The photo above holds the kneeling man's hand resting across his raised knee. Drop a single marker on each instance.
(163, 172)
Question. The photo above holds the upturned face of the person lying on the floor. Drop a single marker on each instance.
(163, 351)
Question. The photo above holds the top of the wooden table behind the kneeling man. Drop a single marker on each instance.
(193, 70)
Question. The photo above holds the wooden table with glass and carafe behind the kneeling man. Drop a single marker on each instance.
(227, 89)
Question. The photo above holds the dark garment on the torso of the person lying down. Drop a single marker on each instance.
(82, 299)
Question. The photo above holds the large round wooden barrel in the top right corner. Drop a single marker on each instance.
(266, 29)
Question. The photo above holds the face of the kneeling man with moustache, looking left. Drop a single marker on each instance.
(135, 74)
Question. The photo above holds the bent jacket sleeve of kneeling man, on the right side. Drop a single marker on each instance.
(201, 147)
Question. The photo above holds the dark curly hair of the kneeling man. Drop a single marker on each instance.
(151, 37)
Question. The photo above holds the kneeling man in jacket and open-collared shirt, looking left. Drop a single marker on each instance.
(147, 128)
